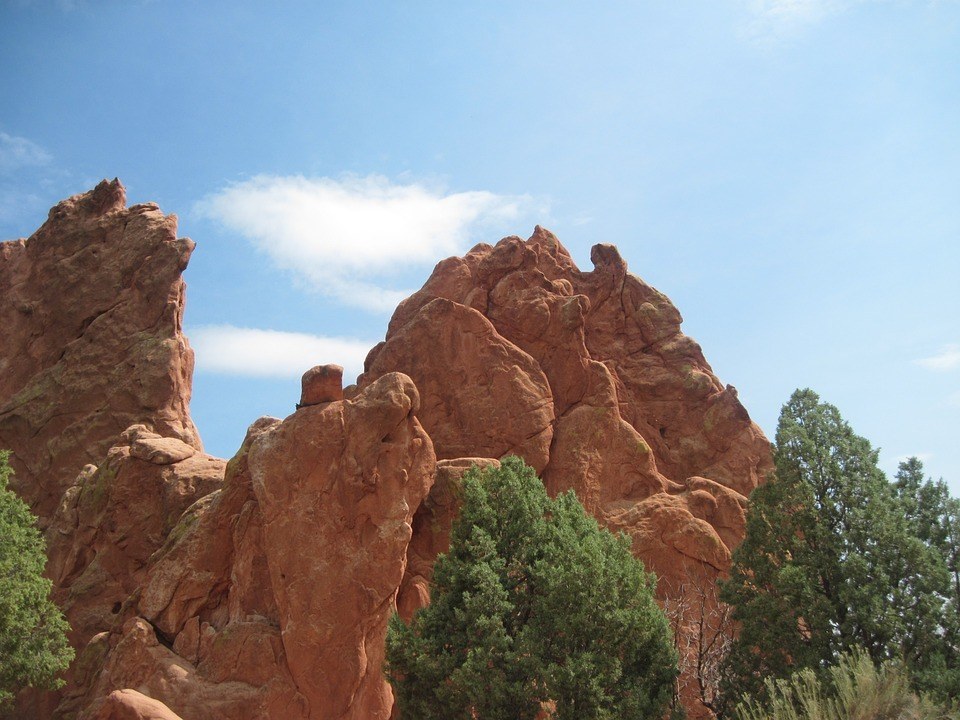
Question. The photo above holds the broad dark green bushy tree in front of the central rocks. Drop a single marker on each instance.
(533, 607)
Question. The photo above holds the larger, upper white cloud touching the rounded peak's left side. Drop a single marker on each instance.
(344, 237)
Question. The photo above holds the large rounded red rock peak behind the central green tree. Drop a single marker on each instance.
(587, 376)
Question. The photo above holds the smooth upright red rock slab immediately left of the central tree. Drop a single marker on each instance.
(339, 483)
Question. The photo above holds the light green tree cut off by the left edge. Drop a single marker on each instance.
(33, 644)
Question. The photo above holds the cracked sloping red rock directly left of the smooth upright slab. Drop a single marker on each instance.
(201, 633)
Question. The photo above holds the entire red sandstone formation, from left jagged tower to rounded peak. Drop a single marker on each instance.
(261, 587)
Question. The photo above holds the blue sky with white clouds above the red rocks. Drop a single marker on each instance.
(786, 171)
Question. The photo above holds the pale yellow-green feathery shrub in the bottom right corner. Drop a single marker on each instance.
(853, 689)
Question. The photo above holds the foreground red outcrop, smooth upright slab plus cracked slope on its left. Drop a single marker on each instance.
(271, 595)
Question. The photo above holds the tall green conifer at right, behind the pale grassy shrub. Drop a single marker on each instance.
(830, 560)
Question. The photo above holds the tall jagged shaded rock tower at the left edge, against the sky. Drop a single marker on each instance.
(91, 311)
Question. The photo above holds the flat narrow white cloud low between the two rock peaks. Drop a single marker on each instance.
(271, 353)
